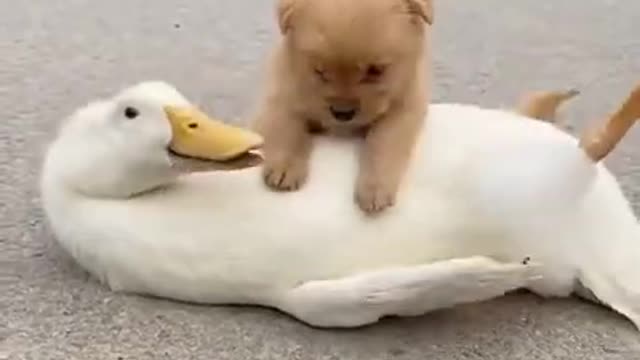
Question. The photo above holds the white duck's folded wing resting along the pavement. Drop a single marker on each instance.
(404, 291)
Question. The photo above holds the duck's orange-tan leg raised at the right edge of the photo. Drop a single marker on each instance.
(598, 142)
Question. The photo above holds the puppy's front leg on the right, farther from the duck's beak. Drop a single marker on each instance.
(384, 160)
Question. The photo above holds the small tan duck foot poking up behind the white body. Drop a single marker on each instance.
(543, 105)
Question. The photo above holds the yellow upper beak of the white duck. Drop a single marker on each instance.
(196, 135)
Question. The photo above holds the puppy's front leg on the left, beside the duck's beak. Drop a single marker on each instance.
(286, 149)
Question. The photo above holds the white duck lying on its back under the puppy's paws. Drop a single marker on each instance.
(488, 188)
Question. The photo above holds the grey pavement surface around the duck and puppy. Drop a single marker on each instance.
(56, 55)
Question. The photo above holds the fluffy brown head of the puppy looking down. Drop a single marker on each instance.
(354, 57)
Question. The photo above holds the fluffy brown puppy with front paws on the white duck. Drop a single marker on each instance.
(354, 67)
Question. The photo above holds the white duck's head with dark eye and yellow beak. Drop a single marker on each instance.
(130, 143)
